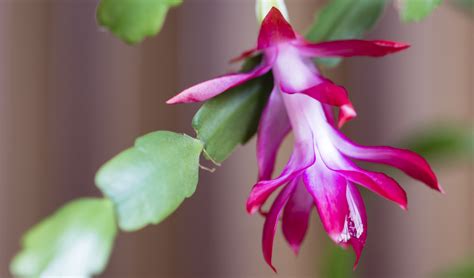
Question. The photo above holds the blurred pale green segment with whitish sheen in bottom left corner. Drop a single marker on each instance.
(74, 242)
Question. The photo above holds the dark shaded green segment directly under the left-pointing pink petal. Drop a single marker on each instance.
(231, 118)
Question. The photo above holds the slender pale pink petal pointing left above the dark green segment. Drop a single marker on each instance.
(216, 86)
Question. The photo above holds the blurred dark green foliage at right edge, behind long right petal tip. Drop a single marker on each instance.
(441, 142)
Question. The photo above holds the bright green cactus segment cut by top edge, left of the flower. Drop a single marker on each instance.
(133, 20)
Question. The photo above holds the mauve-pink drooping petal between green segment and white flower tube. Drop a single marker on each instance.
(273, 127)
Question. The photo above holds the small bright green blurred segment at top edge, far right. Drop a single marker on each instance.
(416, 10)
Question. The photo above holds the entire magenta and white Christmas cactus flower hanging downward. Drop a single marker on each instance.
(320, 172)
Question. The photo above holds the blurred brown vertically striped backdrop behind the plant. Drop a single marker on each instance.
(72, 96)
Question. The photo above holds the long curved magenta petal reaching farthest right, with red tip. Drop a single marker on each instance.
(407, 161)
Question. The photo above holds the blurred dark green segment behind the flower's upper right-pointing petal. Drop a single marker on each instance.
(344, 19)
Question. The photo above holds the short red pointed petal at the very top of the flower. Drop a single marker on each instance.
(274, 29)
